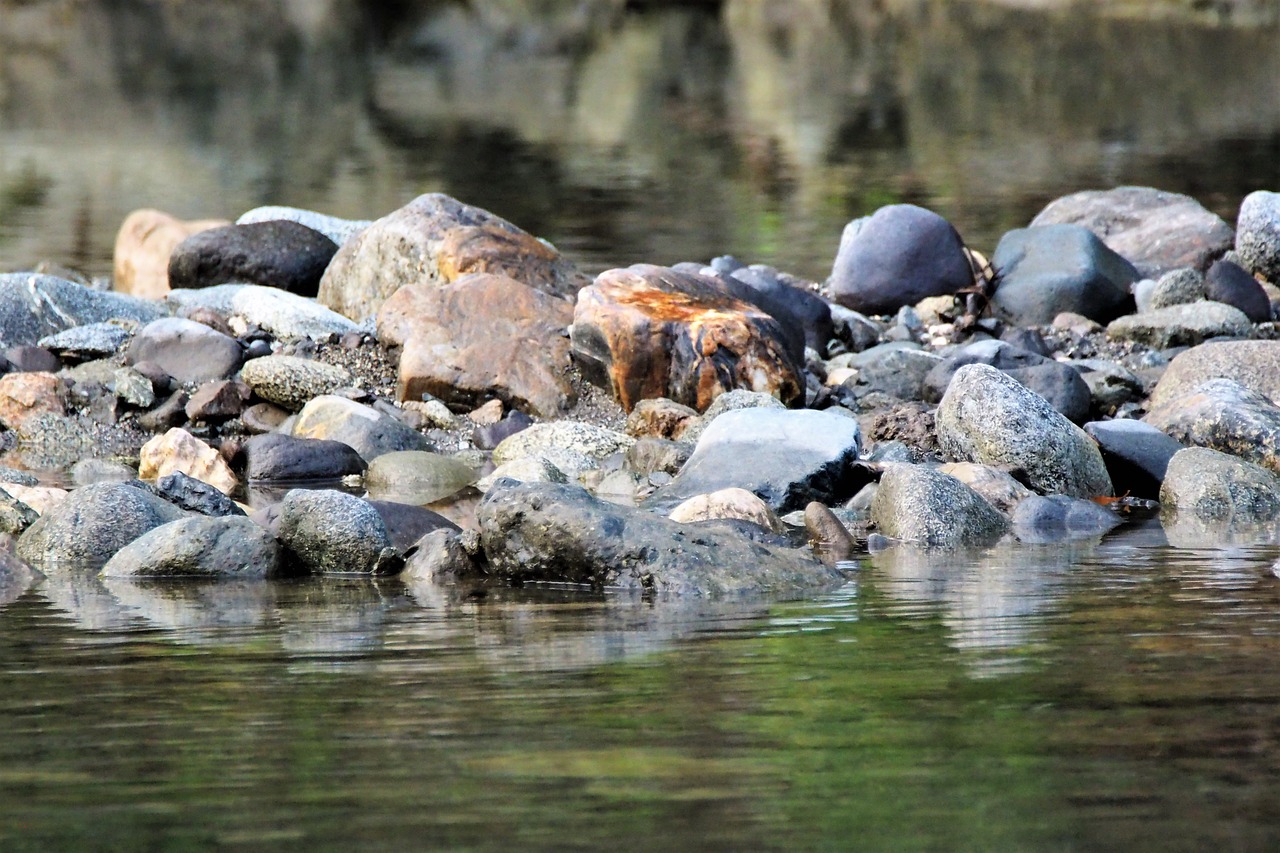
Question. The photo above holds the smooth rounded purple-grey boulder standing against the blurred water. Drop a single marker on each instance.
(899, 257)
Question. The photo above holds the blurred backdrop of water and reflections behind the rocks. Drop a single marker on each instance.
(624, 133)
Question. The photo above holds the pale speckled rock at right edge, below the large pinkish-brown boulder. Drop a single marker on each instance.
(1227, 417)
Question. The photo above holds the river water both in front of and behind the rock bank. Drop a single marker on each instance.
(1114, 695)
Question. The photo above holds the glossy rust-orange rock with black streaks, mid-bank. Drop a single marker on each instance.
(656, 332)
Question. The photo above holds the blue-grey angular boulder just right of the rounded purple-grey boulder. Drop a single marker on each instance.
(1046, 271)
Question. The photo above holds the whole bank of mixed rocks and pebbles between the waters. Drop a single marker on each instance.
(444, 396)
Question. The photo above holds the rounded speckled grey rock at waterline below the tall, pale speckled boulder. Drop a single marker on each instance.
(922, 505)
